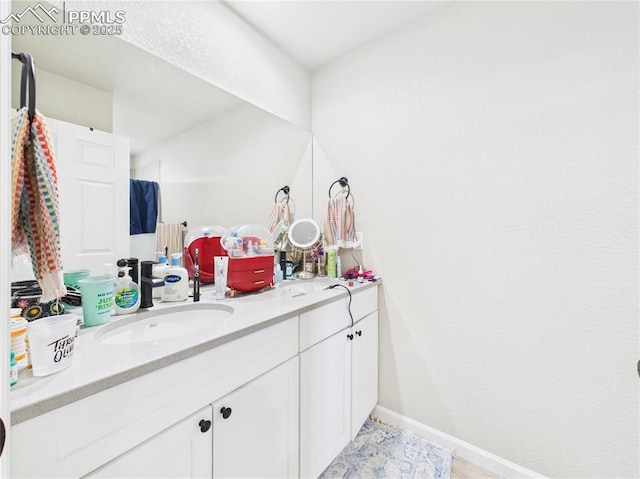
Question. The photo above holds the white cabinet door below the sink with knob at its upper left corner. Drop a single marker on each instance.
(255, 428)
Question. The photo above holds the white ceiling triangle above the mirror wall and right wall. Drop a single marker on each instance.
(315, 32)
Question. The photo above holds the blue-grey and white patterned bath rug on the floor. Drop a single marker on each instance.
(380, 451)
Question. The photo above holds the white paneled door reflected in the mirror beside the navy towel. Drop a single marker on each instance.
(93, 184)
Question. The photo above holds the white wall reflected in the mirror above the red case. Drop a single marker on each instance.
(227, 171)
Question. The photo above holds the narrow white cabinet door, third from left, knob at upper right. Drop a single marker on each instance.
(325, 403)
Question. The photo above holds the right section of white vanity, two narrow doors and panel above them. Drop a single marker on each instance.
(338, 377)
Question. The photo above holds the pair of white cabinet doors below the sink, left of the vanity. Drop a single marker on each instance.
(251, 432)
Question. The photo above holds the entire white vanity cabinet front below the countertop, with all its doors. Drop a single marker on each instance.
(281, 400)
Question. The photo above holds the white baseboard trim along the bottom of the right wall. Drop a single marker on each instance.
(458, 448)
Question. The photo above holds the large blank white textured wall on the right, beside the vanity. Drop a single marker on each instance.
(493, 153)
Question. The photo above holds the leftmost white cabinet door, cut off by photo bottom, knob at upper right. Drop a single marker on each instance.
(182, 451)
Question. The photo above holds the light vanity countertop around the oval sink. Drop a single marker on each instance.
(97, 366)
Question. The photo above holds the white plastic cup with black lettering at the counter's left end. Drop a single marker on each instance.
(51, 342)
